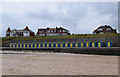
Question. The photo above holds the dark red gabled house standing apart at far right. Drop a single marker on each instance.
(104, 29)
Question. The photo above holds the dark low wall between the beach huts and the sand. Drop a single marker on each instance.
(89, 50)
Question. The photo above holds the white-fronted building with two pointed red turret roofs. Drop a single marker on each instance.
(19, 33)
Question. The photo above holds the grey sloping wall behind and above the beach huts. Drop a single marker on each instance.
(115, 40)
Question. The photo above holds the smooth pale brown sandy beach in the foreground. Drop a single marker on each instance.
(58, 64)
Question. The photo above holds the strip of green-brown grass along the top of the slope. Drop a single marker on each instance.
(5, 39)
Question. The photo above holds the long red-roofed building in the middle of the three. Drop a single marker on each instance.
(52, 32)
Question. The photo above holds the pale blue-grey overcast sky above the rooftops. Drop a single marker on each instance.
(86, 15)
